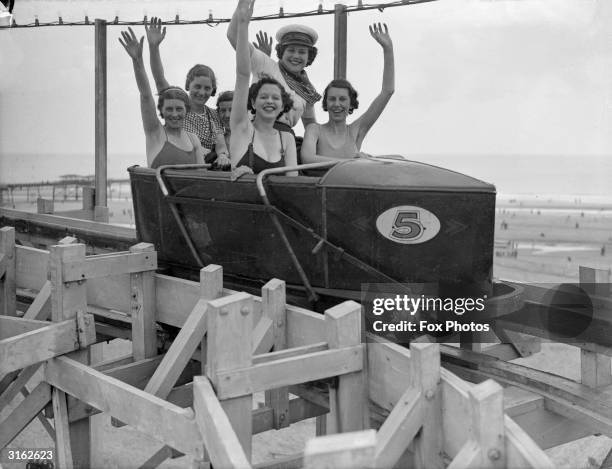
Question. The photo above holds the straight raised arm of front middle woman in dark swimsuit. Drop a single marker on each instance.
(239, 116)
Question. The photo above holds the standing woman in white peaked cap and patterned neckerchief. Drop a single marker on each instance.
(295, 50)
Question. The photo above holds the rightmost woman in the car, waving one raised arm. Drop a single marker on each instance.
(337, 140)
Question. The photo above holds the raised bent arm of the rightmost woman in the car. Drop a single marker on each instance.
(375, 109)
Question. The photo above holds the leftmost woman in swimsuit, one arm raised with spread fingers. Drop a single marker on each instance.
(168, 143)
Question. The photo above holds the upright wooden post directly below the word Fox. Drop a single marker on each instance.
(425, 361)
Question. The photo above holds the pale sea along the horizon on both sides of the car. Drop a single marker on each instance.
(541, 175)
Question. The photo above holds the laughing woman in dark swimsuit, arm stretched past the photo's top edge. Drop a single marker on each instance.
(257, 145)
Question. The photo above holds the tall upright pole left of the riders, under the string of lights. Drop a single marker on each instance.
(101, 207)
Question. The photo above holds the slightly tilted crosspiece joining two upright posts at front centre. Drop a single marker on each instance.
(288, 371)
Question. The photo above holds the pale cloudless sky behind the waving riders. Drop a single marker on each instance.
(473, 77)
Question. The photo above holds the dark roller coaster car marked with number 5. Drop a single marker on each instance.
(364, 221)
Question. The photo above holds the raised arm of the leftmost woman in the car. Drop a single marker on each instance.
(147, 105)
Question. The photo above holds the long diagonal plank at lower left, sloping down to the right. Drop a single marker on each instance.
(151, 415)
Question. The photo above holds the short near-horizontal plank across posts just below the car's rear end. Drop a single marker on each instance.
(140, 259)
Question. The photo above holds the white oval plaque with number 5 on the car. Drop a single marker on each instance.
(408, 224)
